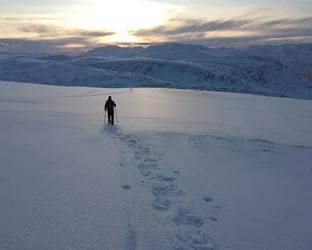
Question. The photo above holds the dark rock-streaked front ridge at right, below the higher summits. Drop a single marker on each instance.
(257, 75)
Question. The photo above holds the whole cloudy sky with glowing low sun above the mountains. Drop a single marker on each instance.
(65, 24)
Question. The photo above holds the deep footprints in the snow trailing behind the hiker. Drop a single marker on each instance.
(166, 193)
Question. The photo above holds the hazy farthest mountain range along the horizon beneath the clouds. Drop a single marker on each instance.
(296, 56)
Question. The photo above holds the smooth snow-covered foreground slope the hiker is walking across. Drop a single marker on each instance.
(182, 169)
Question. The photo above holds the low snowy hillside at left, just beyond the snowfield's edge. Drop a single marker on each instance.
(70, 73)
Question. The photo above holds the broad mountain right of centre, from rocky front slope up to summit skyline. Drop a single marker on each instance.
(220, 69)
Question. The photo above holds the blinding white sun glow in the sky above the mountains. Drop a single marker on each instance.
(119, 16)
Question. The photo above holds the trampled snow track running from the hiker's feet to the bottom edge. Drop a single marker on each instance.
(184, 233)
